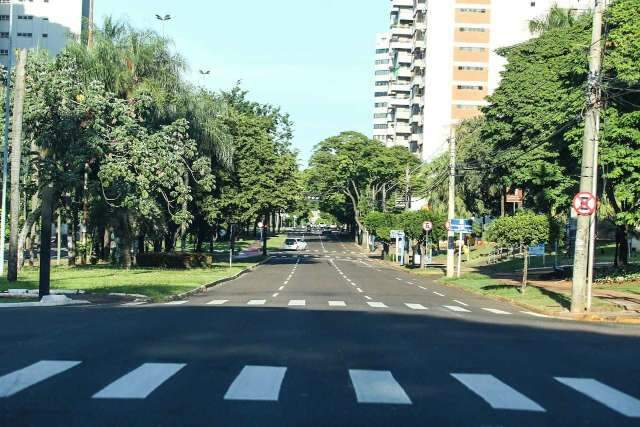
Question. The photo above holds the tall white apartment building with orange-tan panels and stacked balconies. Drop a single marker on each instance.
(450, 62)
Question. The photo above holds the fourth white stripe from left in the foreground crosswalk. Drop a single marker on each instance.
(377, 387)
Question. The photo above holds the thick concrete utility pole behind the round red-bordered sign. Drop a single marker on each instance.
(579, 291)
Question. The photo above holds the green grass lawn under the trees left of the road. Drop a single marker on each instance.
(103, 279)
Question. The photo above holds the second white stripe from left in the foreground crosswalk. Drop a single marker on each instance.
(141, 382)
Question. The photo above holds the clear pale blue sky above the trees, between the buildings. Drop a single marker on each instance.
(314, 59)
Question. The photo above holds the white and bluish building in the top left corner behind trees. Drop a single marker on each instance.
(44, 24)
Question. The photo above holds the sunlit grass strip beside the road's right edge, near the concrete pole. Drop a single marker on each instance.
(540, 298)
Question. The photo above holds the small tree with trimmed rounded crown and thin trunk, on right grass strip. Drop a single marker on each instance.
(524, 229)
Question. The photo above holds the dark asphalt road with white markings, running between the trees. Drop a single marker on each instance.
(324, 337)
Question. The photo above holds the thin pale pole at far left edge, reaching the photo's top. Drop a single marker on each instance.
(7, 124)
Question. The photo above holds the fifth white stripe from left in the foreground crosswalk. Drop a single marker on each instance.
(496, 393)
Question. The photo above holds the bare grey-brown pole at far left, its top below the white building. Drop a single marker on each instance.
(16, 154)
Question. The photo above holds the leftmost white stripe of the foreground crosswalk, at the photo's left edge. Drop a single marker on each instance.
(19, 380)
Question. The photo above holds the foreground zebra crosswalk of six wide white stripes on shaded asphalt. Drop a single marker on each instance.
(371, 387)
